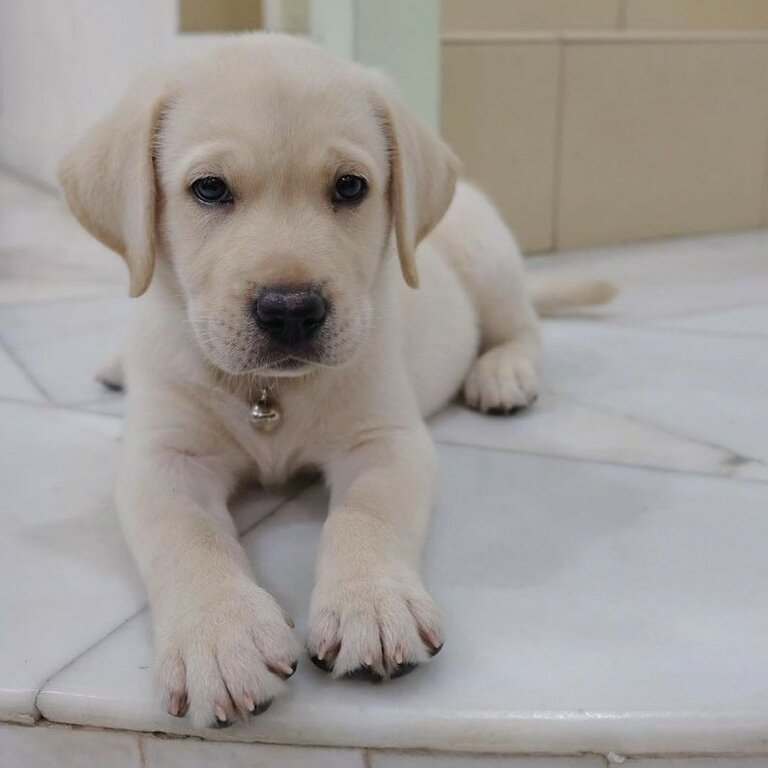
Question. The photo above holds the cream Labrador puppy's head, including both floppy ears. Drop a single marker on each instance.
(271, 176)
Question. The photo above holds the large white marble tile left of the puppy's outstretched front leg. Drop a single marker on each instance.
(65, 575)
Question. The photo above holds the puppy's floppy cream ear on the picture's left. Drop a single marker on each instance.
(109, 180)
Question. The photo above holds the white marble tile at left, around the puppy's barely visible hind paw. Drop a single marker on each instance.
(64, 343)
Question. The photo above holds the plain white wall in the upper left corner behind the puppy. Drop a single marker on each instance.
(63, 63)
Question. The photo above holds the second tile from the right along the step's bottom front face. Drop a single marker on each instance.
(409, 760)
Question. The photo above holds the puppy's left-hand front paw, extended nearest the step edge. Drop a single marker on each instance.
(224, 656)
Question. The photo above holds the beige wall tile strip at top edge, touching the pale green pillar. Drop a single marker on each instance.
(512, 15)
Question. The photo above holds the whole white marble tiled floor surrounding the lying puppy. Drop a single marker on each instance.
(600, 560)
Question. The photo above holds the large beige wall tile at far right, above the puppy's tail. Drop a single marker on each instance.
(661, 139)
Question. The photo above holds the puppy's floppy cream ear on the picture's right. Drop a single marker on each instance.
(423, 173)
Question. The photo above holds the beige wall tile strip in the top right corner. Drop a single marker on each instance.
(697, 14)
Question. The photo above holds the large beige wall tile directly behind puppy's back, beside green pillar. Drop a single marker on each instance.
(499, 106)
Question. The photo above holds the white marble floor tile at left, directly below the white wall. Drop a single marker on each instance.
(45, 254)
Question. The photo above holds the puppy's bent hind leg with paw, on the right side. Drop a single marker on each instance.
(483, 251)
